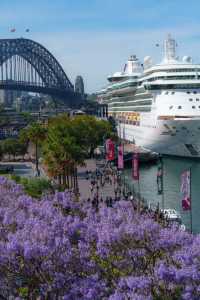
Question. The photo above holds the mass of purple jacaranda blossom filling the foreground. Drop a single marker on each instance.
(57, 248)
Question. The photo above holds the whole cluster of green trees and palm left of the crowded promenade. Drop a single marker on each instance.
(65, 143)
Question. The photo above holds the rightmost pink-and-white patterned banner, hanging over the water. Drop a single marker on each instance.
(185, 190)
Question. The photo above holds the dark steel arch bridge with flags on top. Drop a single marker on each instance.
(28, 66)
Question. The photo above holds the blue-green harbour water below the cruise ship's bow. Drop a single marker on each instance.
(172, 169)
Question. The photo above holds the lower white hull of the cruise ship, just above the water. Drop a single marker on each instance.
(171, 137)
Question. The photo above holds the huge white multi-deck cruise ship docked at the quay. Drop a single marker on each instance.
(157, 106)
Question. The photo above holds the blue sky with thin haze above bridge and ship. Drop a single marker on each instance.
(94, 38)
